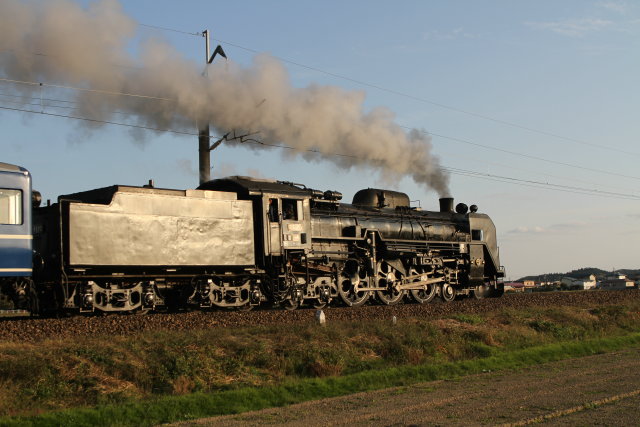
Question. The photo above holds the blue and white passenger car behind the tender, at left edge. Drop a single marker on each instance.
(16, 238)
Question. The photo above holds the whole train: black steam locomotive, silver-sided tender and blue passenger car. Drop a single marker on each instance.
(236, 242)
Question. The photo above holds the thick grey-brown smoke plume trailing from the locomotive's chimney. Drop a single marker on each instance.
(60, 42)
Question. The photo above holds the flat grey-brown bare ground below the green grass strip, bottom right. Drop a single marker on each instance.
(599, 390)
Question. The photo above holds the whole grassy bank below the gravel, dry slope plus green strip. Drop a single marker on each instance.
(166, 376)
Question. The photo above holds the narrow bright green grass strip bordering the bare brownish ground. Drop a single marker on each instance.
(197, 405)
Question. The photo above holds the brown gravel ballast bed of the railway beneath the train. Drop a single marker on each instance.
(36, 329)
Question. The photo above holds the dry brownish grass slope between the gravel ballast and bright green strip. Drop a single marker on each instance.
(58, 374)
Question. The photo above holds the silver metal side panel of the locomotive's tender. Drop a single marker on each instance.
(137, 229)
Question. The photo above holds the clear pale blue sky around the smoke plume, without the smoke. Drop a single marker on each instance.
(551, 87)
